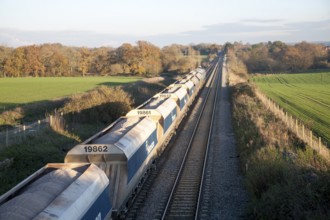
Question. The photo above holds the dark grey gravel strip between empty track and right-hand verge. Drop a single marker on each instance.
(229, 197)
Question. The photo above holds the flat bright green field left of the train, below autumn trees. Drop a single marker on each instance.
(16, 91)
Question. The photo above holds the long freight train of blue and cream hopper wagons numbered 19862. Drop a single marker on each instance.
(100, 177)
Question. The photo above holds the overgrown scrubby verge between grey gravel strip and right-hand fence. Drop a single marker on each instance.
(285, 178)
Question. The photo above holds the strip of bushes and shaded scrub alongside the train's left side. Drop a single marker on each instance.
(84, 115)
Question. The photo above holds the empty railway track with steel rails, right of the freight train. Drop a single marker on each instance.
(183, 202)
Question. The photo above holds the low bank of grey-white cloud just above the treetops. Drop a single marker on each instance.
(252, 31)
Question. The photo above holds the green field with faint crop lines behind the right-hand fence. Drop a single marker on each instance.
(306, 96)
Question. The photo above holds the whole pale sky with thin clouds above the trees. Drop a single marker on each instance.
(96, 23)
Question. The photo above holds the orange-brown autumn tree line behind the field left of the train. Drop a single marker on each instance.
(143, 59)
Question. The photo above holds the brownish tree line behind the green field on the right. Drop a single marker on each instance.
(280, 57)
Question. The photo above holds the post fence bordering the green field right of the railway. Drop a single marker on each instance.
(296, 126)
